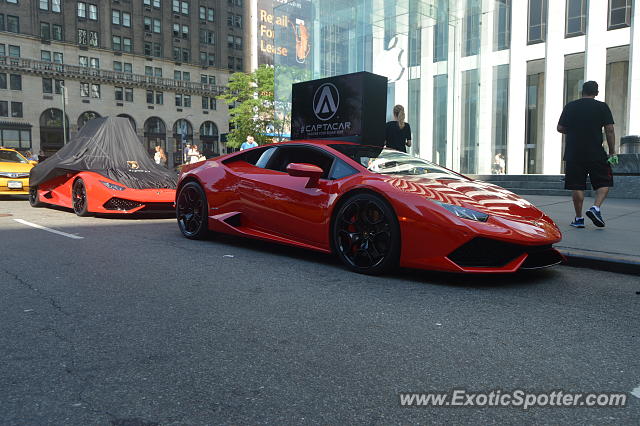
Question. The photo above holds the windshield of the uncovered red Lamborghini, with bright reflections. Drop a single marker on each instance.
(392, 162)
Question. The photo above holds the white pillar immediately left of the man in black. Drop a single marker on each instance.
(551, 140)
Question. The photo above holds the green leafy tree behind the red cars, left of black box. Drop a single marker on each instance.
(251, 106)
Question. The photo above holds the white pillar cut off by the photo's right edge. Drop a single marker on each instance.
(633, 100)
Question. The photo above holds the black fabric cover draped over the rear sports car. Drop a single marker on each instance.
(108, 146)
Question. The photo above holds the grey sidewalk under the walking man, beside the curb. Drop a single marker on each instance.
(615, 248)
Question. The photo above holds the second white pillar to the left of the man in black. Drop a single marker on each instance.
(517, 91)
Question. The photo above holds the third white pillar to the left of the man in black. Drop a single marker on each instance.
(485, 113)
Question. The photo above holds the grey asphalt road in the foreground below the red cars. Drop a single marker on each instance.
(134, 325)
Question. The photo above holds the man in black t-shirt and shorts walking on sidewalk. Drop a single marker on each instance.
(582, 121)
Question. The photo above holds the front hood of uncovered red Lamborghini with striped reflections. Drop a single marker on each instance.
(477, 195)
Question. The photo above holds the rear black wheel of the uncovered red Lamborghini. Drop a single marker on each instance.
(191, 211)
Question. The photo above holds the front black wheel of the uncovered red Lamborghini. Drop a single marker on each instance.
(366, 234)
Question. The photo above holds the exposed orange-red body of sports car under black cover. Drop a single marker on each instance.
(91, 193)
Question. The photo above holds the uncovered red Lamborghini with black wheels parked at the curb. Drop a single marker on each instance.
(375, 208)
